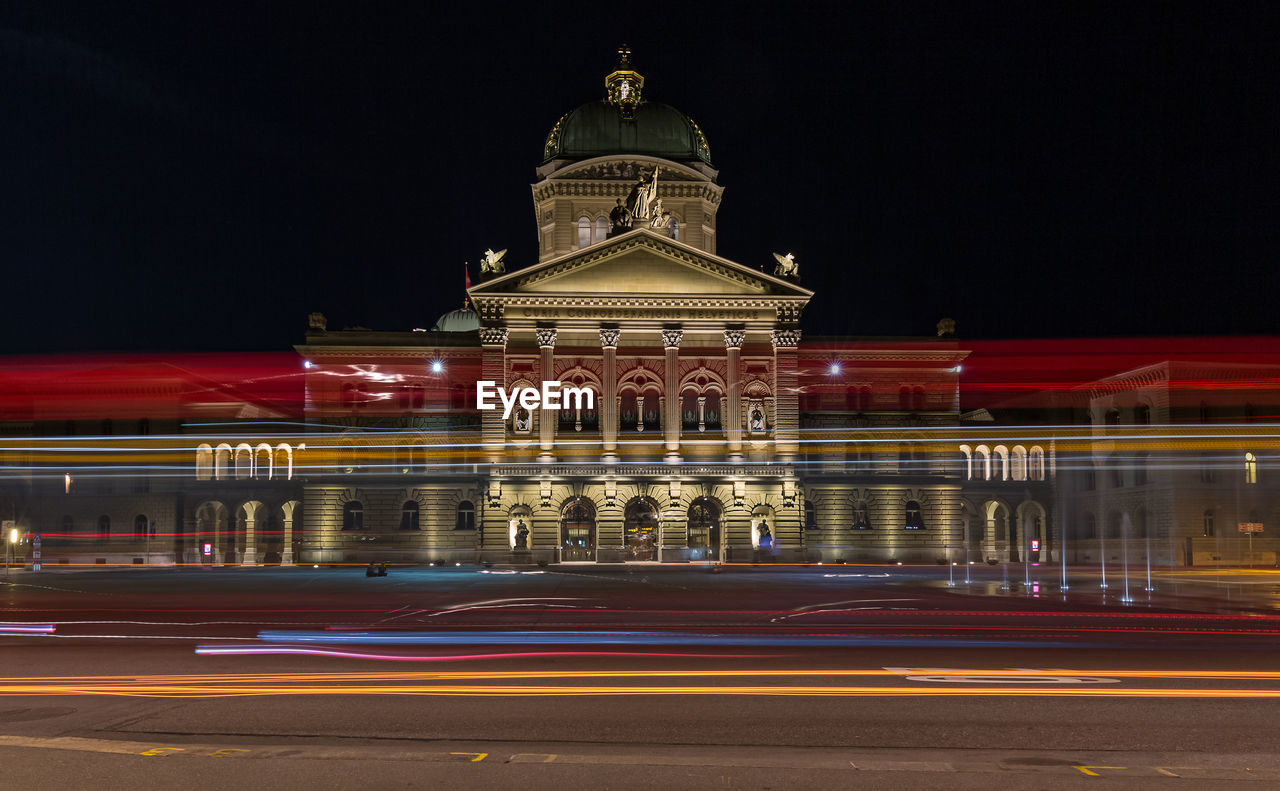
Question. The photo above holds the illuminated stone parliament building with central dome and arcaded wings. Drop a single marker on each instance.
(716, 433)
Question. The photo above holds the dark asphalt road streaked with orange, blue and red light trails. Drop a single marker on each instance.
(638, 678)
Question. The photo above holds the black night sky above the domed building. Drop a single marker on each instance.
(179, 179)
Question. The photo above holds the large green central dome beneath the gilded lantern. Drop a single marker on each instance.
(598, 130)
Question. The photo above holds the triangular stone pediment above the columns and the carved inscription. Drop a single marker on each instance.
(641, 264)
